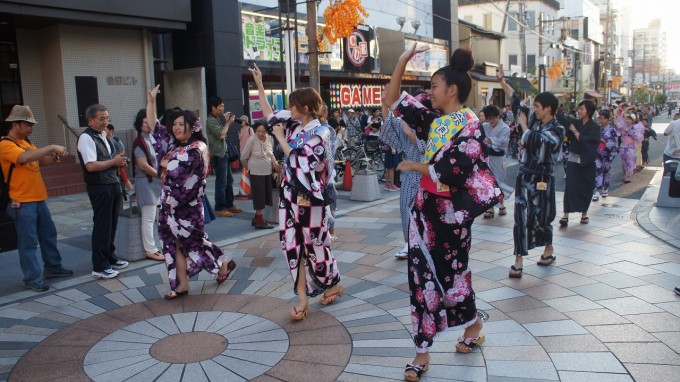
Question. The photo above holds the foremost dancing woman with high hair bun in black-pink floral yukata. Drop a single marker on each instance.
(456, 186)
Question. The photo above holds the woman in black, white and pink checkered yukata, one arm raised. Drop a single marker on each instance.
(304, 207)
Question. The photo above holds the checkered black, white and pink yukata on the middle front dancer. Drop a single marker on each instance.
(304, 204)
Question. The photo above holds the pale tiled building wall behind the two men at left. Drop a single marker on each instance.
(51, 58)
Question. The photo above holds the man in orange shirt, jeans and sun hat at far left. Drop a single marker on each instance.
(27, 205)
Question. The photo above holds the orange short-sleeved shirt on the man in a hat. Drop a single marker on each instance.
(26, 184)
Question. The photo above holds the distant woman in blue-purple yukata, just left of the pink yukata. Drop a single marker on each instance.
(606, 152)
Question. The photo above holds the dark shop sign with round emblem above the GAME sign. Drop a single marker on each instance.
(358, 53)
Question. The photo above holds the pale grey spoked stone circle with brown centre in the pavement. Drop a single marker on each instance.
(225, 345)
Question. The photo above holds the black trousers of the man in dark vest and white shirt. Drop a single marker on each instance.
(105, 200)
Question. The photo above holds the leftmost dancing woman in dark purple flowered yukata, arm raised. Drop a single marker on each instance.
(183, 160)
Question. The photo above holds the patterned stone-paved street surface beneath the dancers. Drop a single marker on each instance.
(604, 312)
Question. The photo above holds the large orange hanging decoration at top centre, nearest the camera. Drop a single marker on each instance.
(342, 16)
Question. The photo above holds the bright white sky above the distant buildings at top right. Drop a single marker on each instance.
(666, 10)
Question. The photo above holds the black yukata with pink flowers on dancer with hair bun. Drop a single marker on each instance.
(460, 187)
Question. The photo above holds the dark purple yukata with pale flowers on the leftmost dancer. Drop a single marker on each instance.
(181, 218)
